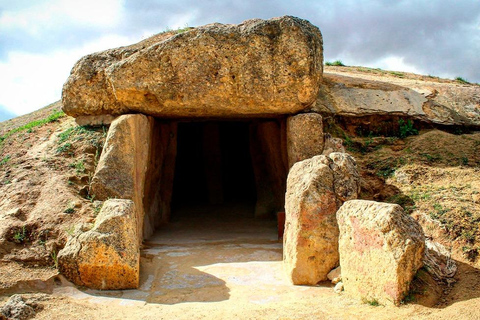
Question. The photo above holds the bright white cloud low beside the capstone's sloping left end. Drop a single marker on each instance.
(31, 81)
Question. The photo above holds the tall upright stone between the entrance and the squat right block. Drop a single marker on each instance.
(316, 188)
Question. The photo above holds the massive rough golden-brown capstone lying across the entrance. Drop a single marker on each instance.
(259, 67)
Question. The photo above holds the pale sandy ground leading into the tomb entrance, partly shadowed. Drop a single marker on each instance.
(204, 267)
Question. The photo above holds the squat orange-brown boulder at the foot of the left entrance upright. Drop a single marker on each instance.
(108, 255)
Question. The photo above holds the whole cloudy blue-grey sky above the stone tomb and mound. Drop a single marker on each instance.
(41, 40)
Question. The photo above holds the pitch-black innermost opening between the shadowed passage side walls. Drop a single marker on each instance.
(213, 165)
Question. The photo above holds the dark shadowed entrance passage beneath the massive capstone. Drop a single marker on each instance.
(215, 169)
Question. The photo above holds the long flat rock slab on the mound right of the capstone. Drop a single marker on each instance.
(440, 103)
